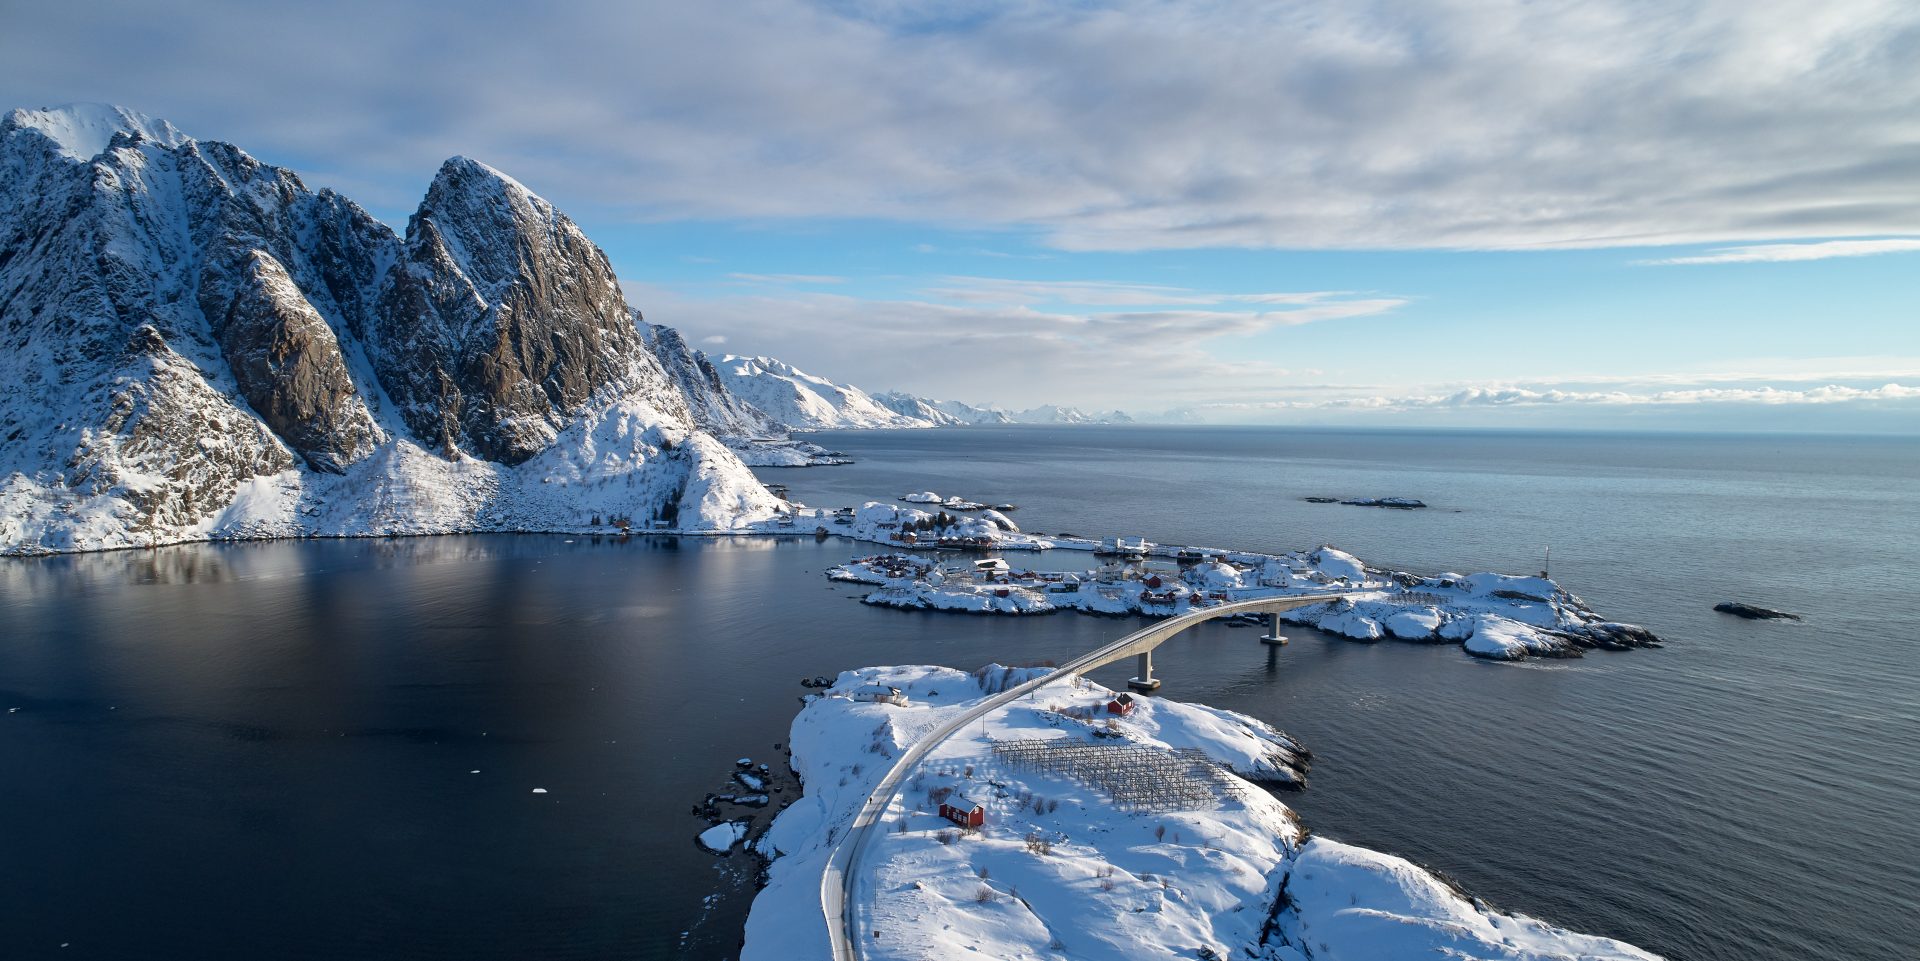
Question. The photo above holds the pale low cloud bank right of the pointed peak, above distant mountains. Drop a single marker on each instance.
(1017, 354)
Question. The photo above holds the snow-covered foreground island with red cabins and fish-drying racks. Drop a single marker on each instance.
(1107, 832)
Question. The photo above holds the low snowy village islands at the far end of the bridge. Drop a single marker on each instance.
(1489, 615)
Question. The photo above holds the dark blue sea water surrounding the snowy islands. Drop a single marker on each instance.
(266, 751)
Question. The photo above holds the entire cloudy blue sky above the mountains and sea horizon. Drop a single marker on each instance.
(1650, 216)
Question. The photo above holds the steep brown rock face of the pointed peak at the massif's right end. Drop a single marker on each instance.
(504, 319)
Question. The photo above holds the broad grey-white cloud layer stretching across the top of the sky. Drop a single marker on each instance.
(1103, 126)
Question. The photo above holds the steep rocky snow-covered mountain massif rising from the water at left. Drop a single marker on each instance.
(201, 346)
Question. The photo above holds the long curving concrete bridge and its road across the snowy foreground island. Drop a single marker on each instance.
(840, 901)
